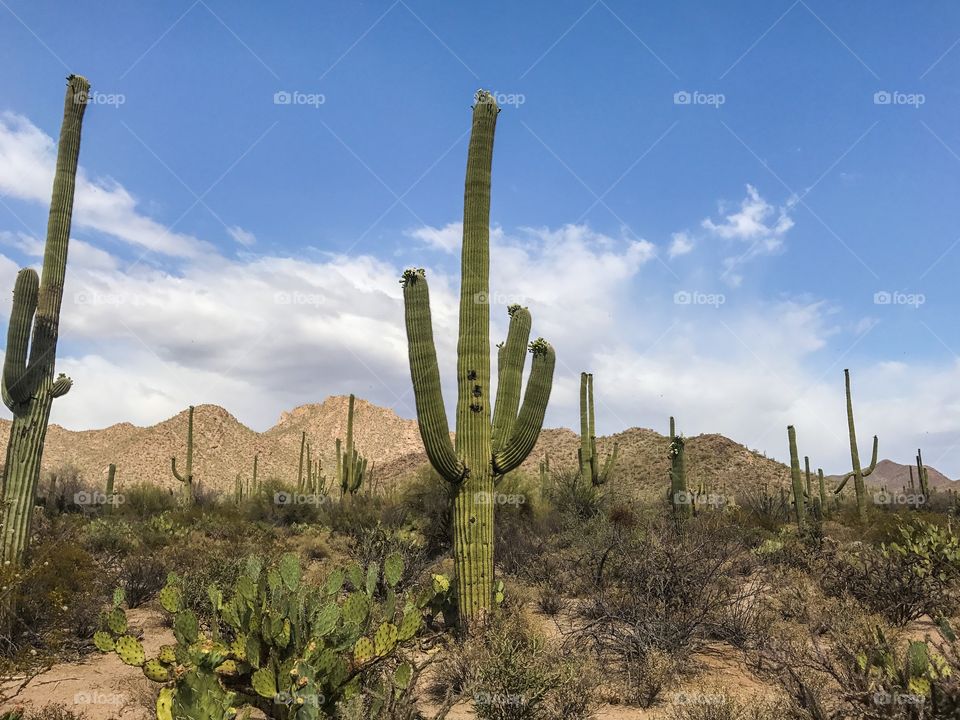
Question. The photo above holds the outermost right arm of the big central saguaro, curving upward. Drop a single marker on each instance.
(530, 420)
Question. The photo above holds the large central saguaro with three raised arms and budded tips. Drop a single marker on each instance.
(486, 448)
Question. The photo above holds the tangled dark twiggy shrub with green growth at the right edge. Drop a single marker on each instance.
(917, 575)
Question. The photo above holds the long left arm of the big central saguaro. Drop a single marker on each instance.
(431, 414)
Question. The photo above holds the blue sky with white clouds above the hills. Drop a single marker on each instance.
(239, 250)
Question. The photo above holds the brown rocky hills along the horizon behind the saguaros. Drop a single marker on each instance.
(225, 447)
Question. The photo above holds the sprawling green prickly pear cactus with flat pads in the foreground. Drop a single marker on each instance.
(278, 644)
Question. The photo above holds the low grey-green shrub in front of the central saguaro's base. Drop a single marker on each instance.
(511, 672)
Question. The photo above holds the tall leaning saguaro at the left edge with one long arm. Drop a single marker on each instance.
(29, 387)
